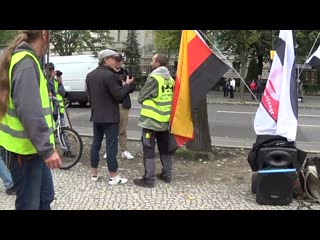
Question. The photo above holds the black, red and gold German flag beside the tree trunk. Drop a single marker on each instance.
(199, 69)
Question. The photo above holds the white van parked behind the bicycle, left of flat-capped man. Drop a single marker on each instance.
(75, 69)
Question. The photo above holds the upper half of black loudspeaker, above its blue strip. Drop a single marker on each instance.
(277, 157)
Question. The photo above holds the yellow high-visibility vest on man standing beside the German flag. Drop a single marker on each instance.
(159, 108)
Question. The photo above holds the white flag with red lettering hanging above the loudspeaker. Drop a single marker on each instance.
(278, 111)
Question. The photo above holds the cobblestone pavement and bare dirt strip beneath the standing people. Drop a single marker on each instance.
(221, 184)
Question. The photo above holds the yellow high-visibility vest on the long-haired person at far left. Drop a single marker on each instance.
(12, 133)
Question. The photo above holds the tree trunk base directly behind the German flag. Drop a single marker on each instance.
(202, 138)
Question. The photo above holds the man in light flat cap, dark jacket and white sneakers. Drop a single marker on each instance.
(105, 93)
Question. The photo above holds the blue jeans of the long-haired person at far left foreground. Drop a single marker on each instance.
(32, 181)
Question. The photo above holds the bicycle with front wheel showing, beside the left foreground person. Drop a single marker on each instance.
(69, 143)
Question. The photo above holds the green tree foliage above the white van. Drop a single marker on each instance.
(67, 42)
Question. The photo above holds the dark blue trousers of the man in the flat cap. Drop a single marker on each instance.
(111, 131)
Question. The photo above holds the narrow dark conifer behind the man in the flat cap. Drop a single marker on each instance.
(132, 54)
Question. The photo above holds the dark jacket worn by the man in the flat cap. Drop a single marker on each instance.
(105, 93)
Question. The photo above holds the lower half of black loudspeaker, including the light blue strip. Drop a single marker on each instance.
(275, 186)
